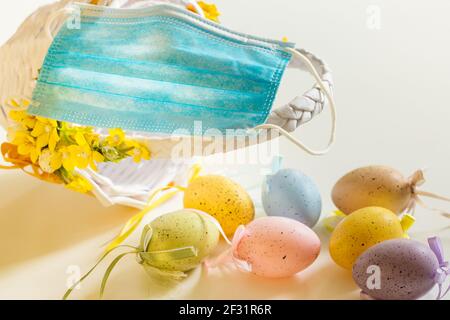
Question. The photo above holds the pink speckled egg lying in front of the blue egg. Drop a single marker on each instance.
(277, 247)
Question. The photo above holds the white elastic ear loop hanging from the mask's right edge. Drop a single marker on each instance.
(330, 98)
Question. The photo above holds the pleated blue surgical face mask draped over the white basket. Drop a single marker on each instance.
(160, 69)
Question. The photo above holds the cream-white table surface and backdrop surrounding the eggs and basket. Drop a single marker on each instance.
(392, 91)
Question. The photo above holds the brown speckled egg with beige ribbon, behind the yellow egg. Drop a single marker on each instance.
(378, 186)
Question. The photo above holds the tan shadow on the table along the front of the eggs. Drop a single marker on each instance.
(326, 282)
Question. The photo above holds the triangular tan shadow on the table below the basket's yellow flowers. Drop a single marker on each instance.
(38, 218)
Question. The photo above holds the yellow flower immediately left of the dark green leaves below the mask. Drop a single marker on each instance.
(76, 156)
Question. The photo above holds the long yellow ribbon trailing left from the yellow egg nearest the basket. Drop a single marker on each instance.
(135, 220)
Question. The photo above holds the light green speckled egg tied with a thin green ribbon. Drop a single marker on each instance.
(181, 229)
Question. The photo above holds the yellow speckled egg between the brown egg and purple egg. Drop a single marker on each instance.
(361, 230)
